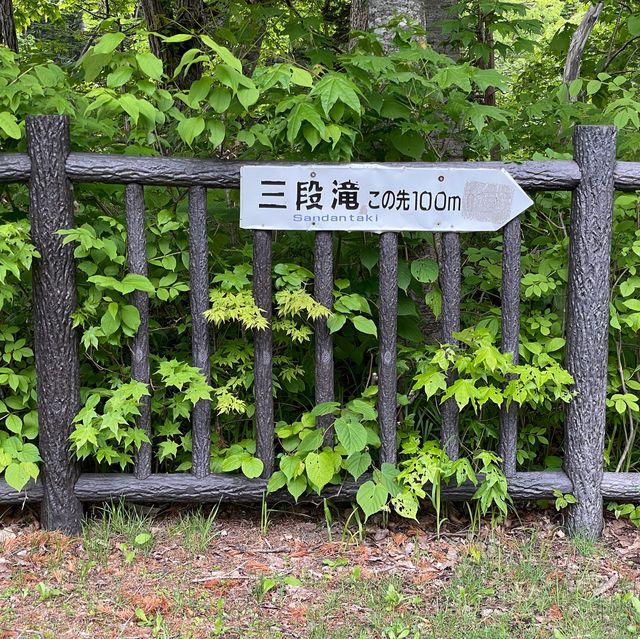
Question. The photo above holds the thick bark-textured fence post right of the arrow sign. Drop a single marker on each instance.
(588, 323)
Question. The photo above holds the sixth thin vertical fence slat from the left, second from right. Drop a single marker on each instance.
(450, 285)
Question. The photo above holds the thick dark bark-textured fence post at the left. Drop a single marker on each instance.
(54, 300)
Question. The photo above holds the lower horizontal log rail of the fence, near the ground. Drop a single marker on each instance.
(185, 487)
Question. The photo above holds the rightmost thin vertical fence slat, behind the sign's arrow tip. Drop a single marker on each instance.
(511, 273)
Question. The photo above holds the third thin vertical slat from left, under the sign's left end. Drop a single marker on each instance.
(263, 352)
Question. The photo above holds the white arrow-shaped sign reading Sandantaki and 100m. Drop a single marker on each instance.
(377, 198)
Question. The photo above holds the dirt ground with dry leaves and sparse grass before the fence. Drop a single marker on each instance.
(178, 572)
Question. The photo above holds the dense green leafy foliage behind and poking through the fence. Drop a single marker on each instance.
(306, 100)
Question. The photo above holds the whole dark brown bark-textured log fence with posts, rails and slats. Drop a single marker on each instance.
(50, 168)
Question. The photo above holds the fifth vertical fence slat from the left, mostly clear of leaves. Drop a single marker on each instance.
(387, 389)
